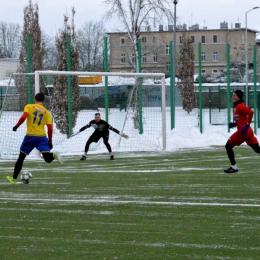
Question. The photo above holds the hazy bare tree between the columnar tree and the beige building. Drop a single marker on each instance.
(90, 45)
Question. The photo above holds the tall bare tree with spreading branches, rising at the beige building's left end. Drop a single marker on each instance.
(133, 15)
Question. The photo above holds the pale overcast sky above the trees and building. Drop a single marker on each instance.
(207, 13)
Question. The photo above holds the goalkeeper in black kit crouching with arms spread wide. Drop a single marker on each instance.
(101, 130)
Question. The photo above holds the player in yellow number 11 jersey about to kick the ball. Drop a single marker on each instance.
(37, 117)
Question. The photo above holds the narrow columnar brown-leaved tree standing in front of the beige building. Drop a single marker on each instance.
(186, 73)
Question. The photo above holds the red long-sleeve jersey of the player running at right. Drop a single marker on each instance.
(242, 115)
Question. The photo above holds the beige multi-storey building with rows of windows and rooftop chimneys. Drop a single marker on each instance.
(156, 48)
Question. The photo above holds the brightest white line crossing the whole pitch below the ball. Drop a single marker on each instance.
(174, 203)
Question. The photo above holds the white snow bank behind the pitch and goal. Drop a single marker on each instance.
(186, 133)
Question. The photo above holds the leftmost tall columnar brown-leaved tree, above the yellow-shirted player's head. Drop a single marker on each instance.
(31, 27)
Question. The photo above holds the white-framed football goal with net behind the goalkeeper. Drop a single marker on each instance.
(133, 103)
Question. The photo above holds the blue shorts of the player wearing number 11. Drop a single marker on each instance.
(41, 143)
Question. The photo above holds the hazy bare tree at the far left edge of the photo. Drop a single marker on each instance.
(9, 40)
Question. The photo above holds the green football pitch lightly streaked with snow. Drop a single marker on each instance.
(177, 205)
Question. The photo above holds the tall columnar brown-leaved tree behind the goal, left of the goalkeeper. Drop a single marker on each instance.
(60, 83)
